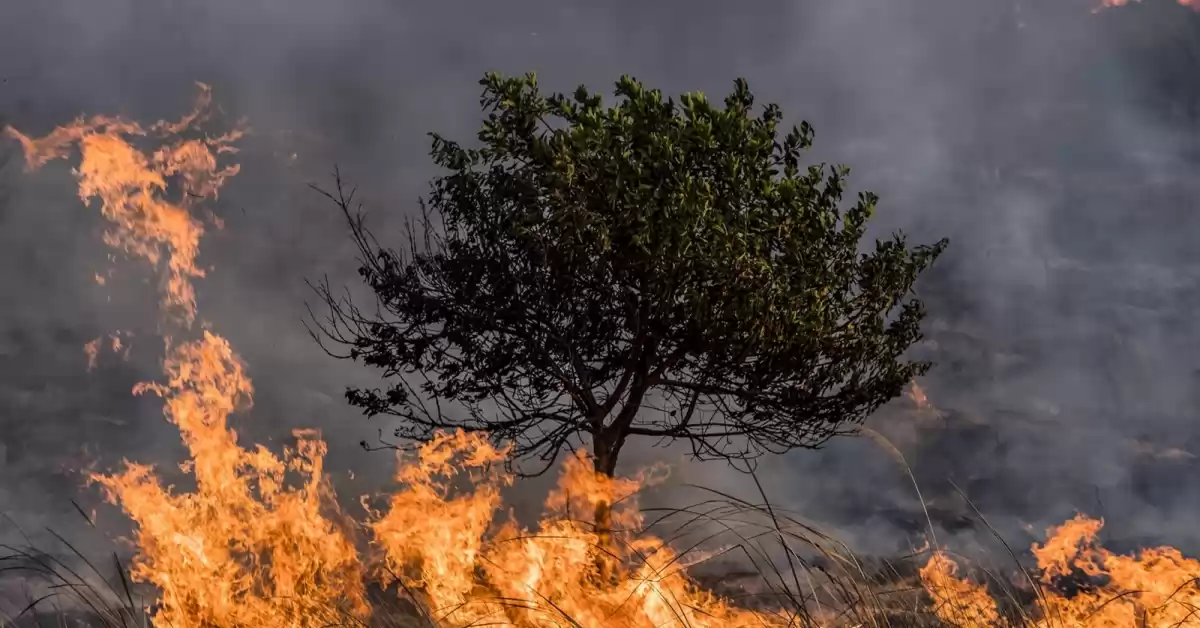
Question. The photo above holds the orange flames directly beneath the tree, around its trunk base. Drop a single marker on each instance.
(553, 577)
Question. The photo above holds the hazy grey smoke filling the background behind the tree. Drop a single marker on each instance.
(1025, 131)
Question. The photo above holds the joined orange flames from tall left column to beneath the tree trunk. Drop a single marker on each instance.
(260, 540)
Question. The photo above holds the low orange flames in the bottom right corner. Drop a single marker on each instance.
(1156, 588)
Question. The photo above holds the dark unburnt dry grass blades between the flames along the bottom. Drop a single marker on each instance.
(752, 553)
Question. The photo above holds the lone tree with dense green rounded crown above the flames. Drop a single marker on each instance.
(651, 270)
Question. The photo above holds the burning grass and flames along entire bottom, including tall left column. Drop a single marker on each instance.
(262, 542)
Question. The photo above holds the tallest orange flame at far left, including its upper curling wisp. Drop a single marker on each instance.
(245, 547)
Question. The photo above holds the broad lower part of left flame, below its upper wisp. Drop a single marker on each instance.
(244, 548)
